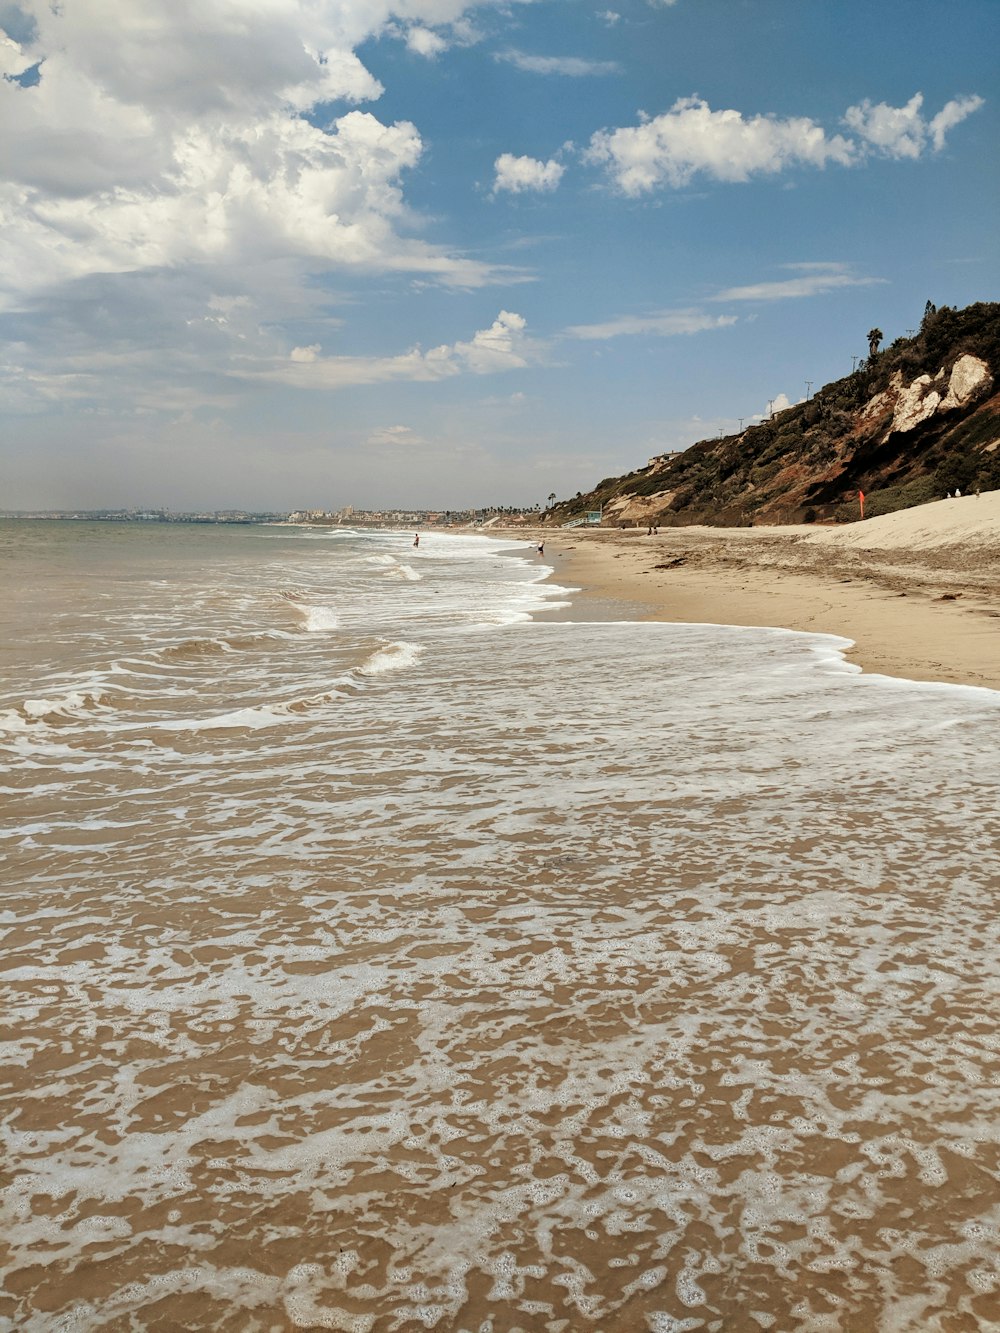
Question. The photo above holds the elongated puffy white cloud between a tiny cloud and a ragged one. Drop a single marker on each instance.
(691, 138)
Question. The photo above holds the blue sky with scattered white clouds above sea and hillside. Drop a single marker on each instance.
(282, 254)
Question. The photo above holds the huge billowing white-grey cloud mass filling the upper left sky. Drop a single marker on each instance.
(150, 142)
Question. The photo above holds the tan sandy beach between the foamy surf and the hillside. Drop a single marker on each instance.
(918, 591)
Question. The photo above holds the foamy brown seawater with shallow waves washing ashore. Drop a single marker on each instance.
(389, 944)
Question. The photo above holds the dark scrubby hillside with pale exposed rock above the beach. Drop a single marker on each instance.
(913, 423)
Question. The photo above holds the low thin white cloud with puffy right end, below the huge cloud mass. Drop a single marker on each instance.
(502, 347)
